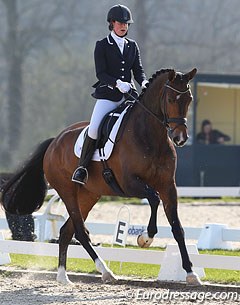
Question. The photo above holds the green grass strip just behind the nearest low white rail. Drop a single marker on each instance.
(146, 271)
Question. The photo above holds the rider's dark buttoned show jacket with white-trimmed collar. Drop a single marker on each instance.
(111, 65)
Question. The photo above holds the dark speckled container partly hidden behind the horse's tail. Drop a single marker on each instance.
(21, 226)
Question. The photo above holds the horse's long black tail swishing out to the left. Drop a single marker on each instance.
(24, 192)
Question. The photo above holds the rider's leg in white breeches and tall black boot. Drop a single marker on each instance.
(101, 108)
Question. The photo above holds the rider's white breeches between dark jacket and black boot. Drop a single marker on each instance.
(101, 108)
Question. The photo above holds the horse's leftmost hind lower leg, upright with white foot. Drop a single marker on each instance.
(66, 234)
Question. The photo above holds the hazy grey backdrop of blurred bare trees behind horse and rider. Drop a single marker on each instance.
(46, 55)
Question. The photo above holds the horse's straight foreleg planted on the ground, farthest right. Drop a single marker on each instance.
(169, 198)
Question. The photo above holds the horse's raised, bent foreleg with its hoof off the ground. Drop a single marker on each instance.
(140, 189)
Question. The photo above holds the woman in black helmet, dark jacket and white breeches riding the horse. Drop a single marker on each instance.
(115, 58)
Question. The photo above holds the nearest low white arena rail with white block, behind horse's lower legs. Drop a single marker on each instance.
(169, 260)
